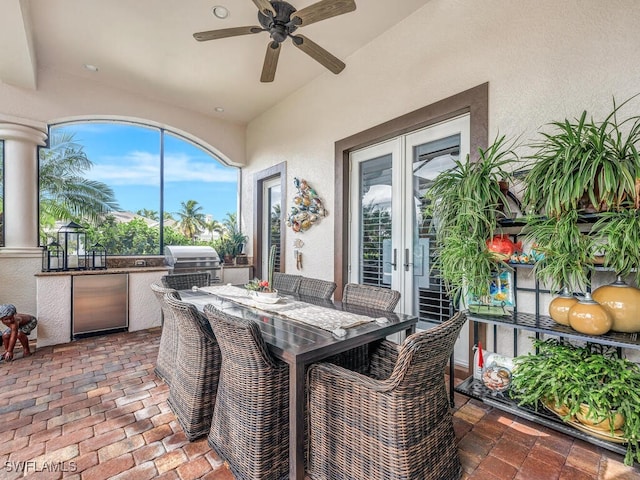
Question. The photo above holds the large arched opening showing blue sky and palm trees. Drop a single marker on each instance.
(136, 188)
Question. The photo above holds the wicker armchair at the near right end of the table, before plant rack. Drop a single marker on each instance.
(394, 423)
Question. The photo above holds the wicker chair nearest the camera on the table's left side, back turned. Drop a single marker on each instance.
(250, 425)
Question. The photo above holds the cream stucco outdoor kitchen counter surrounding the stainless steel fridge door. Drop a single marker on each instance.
(54, 301)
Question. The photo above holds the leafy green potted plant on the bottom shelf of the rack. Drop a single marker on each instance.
(585, 386)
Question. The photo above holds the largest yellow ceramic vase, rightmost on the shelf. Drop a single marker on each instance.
(622, 301)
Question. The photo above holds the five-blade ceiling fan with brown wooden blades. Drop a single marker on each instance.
(281, 19)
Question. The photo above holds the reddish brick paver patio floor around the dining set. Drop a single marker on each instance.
(93, 409)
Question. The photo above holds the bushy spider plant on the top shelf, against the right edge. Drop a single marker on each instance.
(584, 165)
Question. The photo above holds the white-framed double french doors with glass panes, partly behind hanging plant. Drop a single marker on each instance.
(391, 234)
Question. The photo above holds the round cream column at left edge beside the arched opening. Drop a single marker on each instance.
(21, 187)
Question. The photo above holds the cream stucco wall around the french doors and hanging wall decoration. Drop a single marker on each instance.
(544, 60)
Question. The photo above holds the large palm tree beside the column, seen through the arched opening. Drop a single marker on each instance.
(65, 194)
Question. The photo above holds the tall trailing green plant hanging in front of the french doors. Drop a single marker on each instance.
(465, 204)
